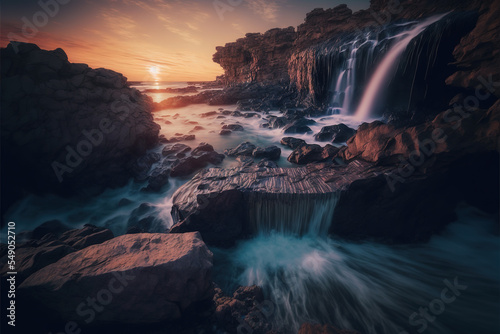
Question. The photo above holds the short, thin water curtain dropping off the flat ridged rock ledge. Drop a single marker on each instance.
(291, 214)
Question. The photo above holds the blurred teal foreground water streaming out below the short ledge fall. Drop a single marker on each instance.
(372, 288)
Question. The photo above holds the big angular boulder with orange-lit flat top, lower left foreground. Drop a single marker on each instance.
(163, 274)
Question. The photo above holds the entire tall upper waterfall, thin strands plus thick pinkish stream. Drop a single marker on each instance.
(353, 72)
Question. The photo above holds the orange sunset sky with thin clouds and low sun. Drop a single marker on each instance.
(149, 40)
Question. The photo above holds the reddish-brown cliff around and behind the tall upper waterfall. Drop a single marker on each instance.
(306, 58)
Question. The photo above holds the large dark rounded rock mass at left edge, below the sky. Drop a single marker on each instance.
(68, 128)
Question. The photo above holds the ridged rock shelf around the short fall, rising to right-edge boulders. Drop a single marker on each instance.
(408, 182)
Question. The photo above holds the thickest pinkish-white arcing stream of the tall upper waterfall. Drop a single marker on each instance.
(385, 70)
